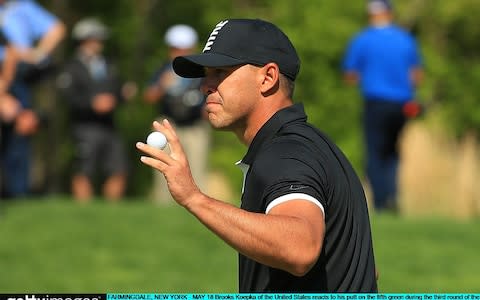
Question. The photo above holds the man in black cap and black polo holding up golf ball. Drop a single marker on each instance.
(303, 224)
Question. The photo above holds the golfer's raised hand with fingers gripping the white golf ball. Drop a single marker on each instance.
(174, 166)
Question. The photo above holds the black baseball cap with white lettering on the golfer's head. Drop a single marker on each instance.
(242, 41)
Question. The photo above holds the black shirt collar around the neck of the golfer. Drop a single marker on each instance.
(286, 115)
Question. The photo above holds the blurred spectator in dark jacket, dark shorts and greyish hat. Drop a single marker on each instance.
(93, 90)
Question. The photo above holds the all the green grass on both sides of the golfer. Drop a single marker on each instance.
(56, 245)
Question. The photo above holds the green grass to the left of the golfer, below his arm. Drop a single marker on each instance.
(62, 246)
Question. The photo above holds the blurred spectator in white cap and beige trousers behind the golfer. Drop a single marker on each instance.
(180, 101)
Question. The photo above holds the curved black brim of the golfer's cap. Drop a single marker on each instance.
(193, 66)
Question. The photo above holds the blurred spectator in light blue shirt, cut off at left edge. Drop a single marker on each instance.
(34, 33)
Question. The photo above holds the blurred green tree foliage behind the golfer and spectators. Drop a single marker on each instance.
(446, 31)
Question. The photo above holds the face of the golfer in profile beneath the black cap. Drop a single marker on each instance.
(232, 93)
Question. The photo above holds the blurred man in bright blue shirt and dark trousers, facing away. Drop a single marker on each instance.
(384, 60)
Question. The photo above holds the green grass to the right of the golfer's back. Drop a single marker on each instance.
(427, 254)
